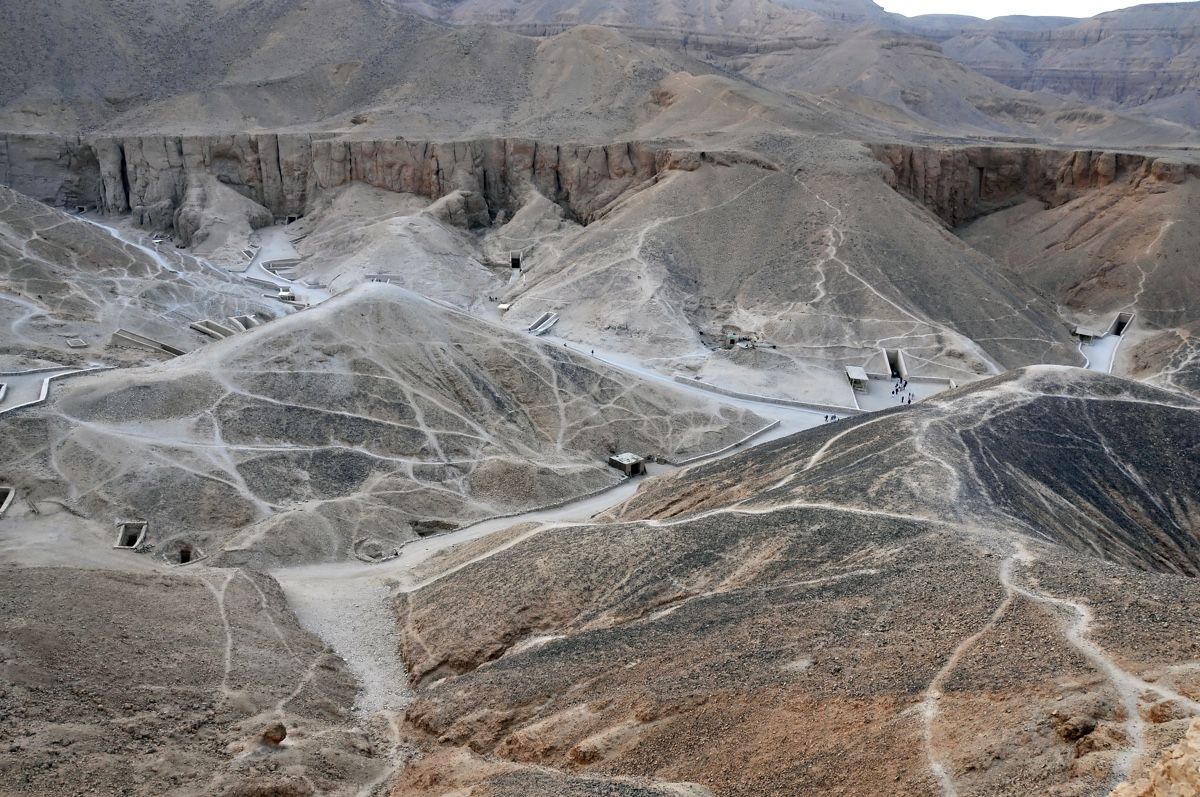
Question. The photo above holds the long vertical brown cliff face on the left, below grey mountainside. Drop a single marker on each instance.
(148, 176)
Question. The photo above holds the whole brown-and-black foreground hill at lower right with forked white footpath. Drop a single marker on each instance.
(857, 610)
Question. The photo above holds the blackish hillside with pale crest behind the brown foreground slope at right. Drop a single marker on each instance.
(1082, 482)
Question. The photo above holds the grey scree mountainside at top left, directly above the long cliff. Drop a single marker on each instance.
(201, 68)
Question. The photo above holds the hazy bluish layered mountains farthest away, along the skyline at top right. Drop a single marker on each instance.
(1139, 57)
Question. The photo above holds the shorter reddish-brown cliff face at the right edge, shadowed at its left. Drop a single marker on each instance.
(962, 184)
